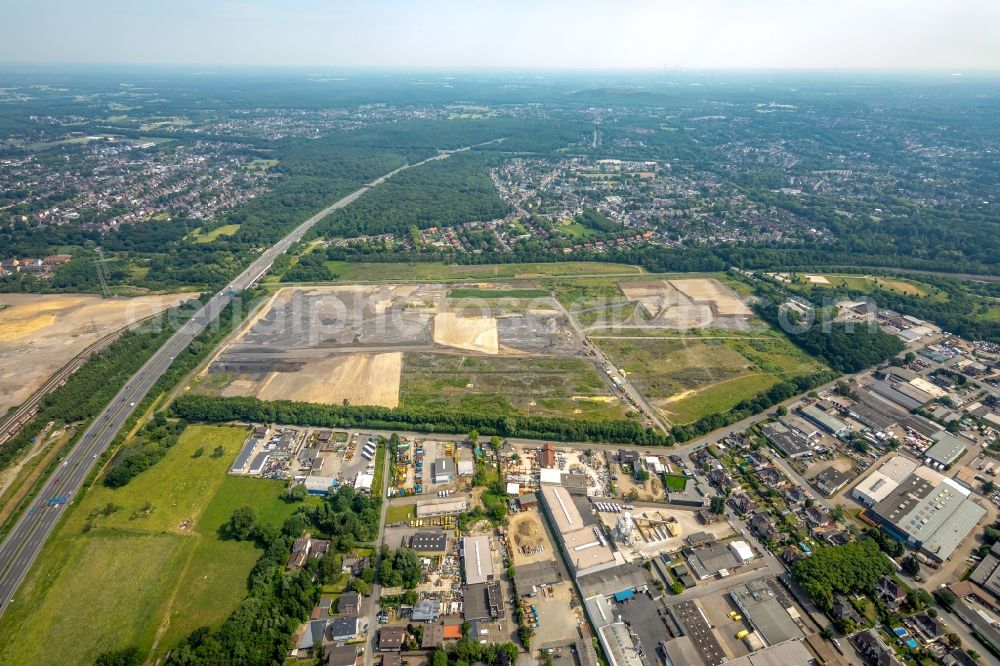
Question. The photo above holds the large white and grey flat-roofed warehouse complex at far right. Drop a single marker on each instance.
(930, 511)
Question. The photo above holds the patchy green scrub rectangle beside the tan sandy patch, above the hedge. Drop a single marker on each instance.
(511, 385)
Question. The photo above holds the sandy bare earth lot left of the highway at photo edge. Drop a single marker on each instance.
(40, 334)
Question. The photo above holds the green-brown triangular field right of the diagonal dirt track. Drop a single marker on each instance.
(687, 378)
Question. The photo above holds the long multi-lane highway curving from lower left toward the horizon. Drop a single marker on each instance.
(25, 540)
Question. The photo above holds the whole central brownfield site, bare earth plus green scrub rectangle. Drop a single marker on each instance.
(364, 343)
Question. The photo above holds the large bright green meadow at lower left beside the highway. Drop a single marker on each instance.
(118, 580)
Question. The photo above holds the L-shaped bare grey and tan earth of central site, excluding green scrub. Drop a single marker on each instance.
(346, 343)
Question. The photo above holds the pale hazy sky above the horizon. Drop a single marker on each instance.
(583, 34)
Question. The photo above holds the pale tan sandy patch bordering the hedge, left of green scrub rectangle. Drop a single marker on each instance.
(361, 379)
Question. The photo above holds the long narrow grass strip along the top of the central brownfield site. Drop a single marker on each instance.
(374, 272)
